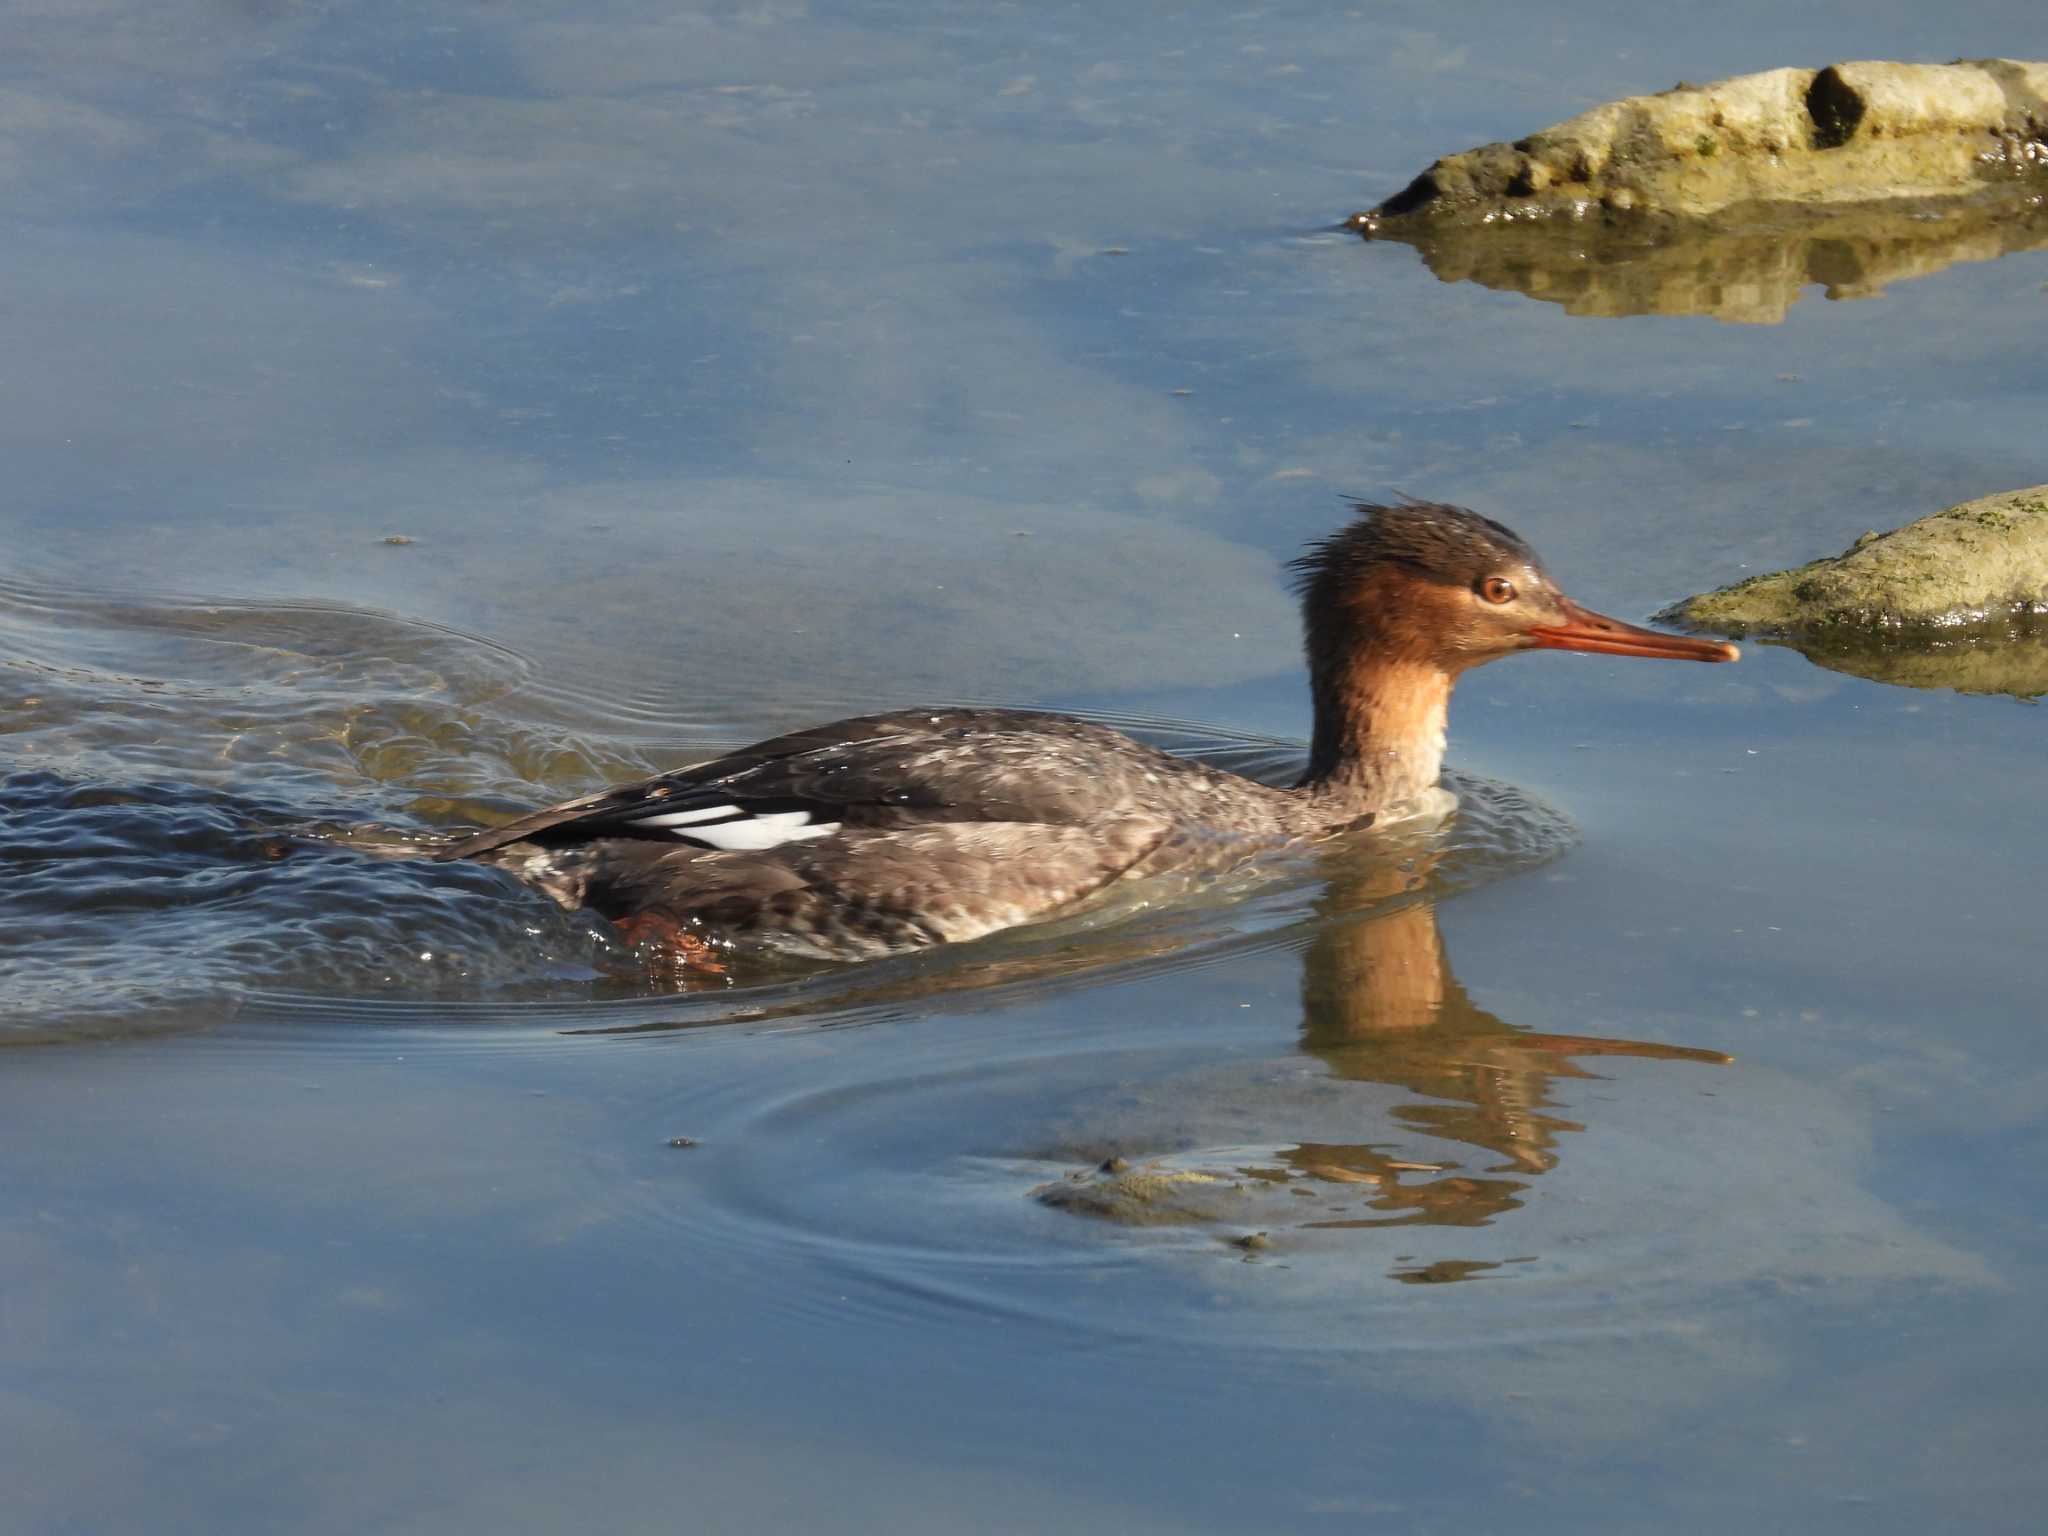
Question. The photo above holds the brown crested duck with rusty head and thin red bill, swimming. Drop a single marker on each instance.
(896, 833)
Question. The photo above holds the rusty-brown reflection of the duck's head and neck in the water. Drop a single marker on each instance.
(1379, 1007)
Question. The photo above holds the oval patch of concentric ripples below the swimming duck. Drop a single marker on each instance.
(900, 1179)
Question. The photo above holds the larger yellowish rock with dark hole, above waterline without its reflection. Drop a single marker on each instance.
(1811, 138)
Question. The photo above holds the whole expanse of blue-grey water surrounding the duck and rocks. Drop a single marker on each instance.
(1658, 1144)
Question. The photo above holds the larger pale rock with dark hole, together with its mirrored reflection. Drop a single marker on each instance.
(1727, 200)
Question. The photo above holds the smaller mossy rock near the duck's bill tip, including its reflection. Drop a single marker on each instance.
(1955, 601)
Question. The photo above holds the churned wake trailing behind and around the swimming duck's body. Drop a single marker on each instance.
(196, 790)
